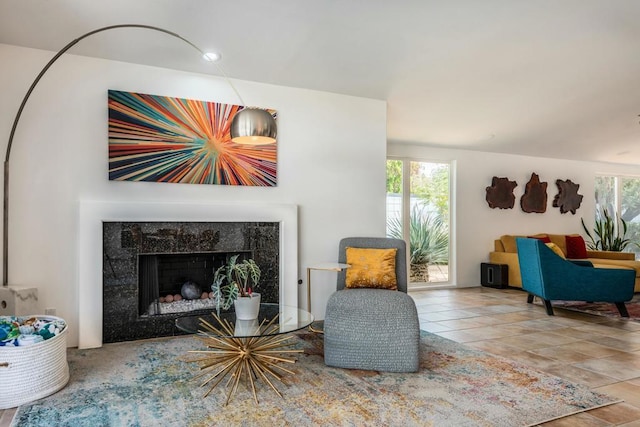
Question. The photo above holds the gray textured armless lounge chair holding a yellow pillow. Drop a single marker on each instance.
(373, 329)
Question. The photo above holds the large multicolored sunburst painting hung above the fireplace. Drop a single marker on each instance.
(162, 139)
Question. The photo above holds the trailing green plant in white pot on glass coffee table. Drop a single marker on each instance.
(233, 283)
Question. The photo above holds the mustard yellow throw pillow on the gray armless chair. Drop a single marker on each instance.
(371, 268)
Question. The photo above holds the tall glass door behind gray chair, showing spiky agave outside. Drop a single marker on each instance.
(418, 213)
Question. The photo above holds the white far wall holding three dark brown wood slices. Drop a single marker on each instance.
(477, 225)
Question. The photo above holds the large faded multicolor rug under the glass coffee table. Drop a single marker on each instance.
(144, 383)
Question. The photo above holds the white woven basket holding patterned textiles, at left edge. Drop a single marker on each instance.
(32, 372)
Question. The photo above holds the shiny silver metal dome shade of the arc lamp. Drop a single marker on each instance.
(253, 126)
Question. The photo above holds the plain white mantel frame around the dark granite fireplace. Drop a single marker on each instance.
(94, 213)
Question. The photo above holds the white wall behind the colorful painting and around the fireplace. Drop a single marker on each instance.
(331, 156)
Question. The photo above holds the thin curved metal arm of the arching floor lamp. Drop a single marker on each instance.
(5, 224)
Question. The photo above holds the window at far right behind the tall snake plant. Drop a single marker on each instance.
(619, 197)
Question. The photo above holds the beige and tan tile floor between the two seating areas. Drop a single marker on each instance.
(599, 352)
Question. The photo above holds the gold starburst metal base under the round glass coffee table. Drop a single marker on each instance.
(252, 358)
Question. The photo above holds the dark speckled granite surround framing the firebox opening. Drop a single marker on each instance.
(124, 242)
